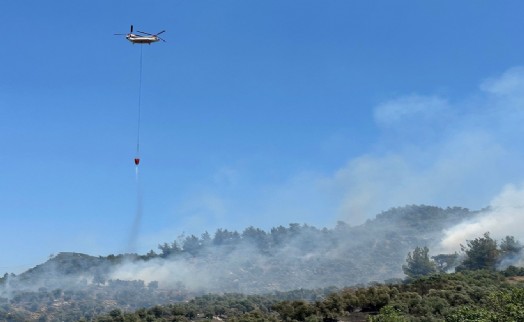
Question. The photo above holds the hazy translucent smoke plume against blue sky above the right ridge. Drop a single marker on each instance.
(440, 151)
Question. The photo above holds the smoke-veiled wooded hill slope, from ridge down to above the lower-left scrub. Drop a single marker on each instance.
(255, 261)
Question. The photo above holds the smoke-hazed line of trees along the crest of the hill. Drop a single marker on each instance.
(413, 221)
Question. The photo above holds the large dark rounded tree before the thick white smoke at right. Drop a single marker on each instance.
(481, 253)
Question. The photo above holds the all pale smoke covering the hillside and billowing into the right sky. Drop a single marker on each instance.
(433, 150)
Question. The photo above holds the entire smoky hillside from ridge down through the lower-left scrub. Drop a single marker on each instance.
(251, 262)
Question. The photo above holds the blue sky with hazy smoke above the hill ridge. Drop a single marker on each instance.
(253, 113)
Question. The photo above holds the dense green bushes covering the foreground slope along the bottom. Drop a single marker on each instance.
(465, 296)
